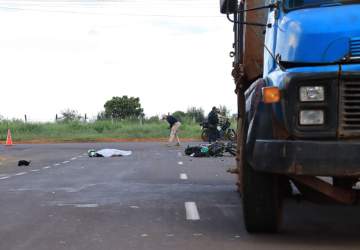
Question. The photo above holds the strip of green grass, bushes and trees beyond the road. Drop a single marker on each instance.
(122, 118)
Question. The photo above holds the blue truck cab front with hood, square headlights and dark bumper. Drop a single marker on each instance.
(315, 65)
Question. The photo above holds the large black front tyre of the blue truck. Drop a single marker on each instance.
(262, 201)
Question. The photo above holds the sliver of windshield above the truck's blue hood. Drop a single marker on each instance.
(296, 4)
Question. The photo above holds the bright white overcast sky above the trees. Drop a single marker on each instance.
(55, 55)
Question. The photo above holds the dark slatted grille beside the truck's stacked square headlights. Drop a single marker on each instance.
(349, 109)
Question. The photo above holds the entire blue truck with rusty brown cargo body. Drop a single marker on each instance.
(297, 75)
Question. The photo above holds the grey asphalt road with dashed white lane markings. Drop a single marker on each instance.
(157, 198)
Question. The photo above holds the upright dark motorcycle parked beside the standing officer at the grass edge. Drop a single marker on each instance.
(224, 131)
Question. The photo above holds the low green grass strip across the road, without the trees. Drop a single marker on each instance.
(93, 131)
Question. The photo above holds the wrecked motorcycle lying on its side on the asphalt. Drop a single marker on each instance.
(216, 149)
